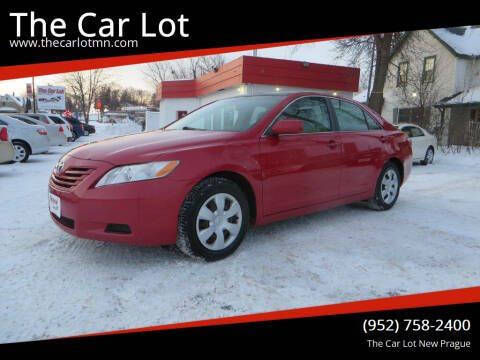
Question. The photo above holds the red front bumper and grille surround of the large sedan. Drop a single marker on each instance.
(149, 208)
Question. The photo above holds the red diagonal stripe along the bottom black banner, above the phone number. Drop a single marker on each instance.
(430, 299)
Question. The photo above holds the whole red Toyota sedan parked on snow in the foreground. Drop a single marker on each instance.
(249, 160)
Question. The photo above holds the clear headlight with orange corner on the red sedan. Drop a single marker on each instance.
(130, 173)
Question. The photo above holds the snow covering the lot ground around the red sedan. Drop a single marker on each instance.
(52, 284)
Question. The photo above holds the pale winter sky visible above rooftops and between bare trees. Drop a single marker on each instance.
(132, 75)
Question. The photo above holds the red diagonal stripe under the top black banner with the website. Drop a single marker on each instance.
(40, 69)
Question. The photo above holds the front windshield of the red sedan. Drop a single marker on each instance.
(235, 114)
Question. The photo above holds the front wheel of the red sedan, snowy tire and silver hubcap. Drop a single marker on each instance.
(200, 205)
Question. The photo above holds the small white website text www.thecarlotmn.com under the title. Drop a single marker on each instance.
(73, 43)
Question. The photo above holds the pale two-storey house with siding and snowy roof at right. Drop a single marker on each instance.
(434, 81)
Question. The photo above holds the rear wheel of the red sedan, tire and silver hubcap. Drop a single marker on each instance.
(387, 188)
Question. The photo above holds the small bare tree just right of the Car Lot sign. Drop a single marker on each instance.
(83, 88)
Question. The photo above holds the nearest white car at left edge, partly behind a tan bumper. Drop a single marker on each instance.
(26, 139)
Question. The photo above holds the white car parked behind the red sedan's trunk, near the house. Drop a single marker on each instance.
(424, 144)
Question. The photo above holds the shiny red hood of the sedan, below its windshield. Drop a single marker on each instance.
(144, 147)
